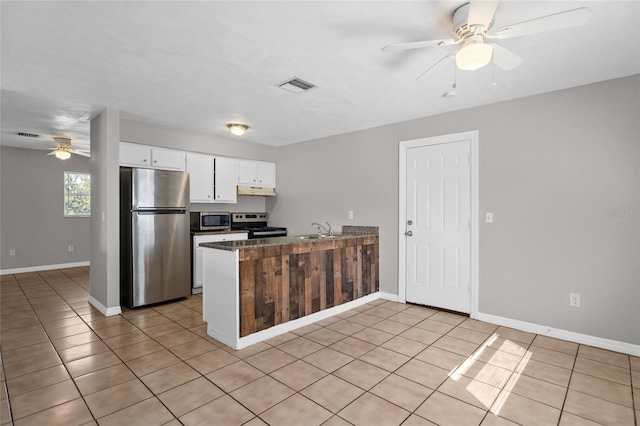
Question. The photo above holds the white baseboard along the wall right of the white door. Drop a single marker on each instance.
(584, 339)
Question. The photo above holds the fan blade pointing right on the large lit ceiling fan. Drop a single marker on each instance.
(557, 21)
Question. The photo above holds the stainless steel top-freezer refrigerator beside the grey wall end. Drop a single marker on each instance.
(154, 236)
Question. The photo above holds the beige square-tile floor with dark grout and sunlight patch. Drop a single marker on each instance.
(384, 363)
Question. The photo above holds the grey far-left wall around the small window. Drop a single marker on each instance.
(32, 218)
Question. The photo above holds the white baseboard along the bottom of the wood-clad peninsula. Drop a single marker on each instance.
(274, 331)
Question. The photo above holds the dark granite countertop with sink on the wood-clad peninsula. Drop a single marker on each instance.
(348, 232)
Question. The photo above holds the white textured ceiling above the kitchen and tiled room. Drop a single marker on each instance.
(199, 65)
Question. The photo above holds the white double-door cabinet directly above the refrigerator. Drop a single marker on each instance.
(136, 155)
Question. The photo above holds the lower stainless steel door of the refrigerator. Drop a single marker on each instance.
(161, 269)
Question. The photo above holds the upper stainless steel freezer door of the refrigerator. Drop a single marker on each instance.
(159, 189)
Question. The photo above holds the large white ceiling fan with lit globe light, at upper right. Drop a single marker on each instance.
(473, 29)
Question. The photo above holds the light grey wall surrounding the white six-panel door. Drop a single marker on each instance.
(551, 167)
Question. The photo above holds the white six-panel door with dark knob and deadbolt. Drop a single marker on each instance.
(437, 225)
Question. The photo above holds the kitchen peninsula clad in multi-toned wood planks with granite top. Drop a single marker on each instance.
(258, 289)
